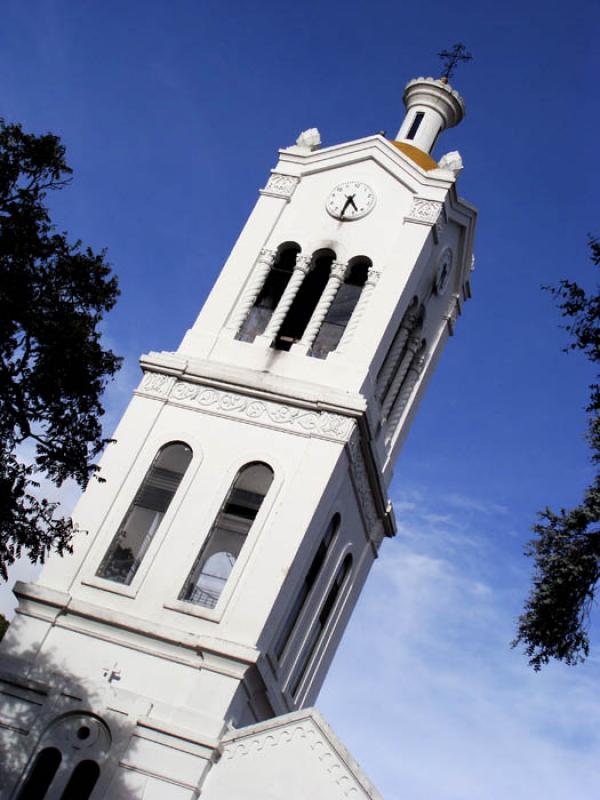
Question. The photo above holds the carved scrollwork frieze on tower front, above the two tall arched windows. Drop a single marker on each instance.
(323, 424)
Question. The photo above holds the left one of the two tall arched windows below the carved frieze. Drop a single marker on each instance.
(144, 515)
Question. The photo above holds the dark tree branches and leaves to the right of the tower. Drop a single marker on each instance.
(566, 550)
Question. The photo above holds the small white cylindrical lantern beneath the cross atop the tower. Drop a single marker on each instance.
(432, 105)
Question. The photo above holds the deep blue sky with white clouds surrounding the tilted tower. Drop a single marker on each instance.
(172, 114)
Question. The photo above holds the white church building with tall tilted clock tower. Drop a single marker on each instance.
(177, 653)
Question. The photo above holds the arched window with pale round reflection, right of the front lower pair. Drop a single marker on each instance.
(224, 543)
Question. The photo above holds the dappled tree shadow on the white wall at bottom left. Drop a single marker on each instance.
(59, 737)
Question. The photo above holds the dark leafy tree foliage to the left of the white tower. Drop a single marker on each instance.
(53, 367)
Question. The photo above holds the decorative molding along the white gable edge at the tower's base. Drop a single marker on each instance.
(327, 755)
